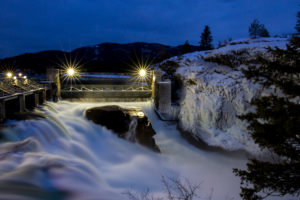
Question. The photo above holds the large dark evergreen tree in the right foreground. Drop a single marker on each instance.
(275, 126)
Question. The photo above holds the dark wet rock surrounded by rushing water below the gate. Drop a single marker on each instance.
(129, 123)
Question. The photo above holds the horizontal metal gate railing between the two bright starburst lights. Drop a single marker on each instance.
(97, 86)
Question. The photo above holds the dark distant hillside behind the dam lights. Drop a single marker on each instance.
(105, 57)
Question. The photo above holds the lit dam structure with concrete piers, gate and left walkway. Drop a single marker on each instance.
(20, 94)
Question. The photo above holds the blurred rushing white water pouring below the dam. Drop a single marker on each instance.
(66, 156)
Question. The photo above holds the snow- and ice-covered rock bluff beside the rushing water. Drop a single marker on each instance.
(214, 95)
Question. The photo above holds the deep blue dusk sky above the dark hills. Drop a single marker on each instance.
(35, 25)
